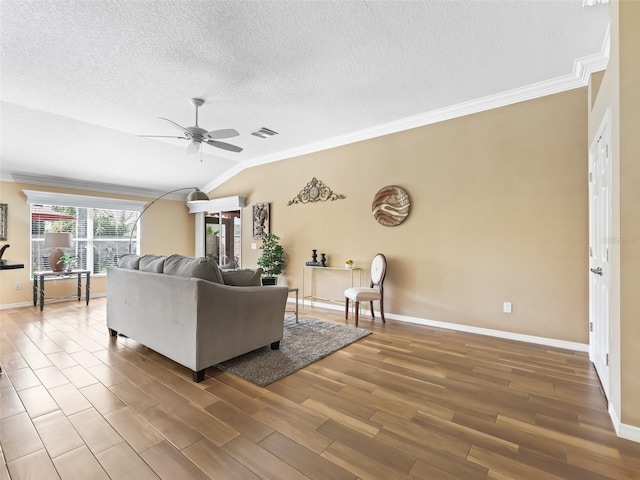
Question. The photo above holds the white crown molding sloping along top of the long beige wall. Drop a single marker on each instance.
(582, 70)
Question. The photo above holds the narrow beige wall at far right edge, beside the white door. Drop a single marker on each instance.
(619, 92)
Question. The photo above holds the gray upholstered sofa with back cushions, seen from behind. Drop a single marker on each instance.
(190, 311)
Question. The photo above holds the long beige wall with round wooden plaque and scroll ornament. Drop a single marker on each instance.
(499, 213)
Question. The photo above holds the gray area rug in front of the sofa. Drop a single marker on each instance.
(303, 344)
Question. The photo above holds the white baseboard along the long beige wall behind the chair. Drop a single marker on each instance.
(549, 342)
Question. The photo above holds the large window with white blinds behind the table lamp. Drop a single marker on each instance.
(100, 235)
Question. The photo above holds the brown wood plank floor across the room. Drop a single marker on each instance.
(407, 401)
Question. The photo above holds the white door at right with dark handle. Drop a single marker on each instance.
(599, 250)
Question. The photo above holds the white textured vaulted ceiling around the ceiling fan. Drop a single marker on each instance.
(81, 79)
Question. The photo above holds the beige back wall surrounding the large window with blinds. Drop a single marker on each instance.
(165, 228)
